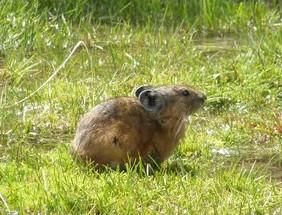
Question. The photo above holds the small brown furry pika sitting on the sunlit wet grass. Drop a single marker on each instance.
(148, 126)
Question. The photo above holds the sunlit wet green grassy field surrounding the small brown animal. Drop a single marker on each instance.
(230, 161)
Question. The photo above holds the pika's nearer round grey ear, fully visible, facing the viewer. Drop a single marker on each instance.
(152, 101)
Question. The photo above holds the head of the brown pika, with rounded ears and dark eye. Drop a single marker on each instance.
(175, 101)
